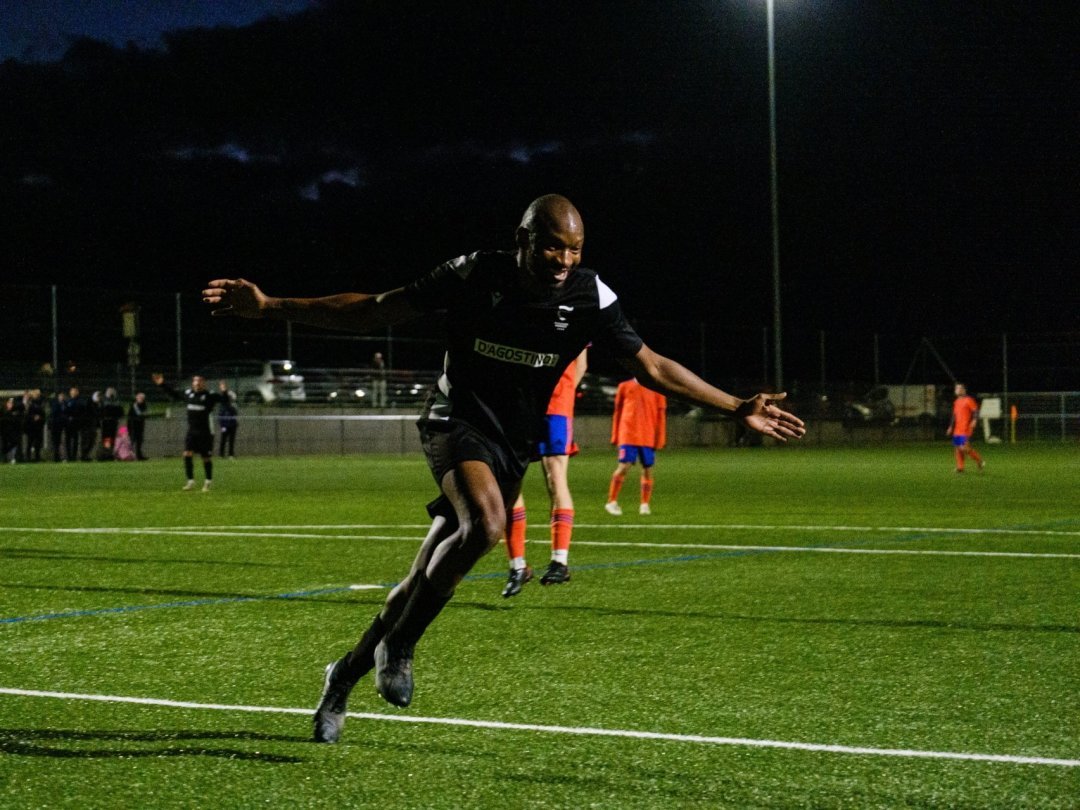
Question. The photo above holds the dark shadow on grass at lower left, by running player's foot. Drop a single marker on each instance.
(65, 745)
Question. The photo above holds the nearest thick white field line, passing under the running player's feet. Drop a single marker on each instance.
(584, 732)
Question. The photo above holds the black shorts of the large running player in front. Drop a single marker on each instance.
(447, 444)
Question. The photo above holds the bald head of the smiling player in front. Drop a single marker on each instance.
(550, 240)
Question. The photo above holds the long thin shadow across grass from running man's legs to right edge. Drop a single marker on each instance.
(892, 624)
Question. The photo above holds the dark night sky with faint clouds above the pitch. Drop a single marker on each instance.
(927, 152)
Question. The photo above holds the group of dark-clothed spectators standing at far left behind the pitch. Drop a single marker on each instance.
(79, 428)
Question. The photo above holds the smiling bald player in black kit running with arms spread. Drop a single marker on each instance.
(516, 320)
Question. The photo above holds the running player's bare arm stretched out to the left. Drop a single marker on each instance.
(348, 312)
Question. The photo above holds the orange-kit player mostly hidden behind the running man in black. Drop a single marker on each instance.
(555, 451)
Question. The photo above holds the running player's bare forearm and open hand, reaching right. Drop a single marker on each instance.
(760, 413)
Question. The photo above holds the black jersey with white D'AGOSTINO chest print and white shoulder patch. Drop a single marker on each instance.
(508, 348)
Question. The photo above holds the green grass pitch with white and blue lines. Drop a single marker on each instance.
(790, 628)
